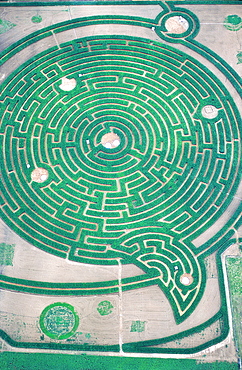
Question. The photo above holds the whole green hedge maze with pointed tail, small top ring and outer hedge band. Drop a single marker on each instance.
(119, 150)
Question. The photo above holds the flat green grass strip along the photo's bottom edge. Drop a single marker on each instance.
(30, 361)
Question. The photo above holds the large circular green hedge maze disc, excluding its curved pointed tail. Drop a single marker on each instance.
(60, 146)
